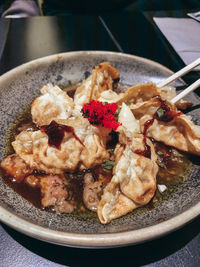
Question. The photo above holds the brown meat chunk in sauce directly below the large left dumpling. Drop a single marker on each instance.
(54, 193)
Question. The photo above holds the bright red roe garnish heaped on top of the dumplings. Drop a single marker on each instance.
(101, 114)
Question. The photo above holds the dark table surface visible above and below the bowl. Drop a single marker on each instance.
(130, 31)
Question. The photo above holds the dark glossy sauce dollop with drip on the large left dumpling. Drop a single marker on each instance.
(56, 133)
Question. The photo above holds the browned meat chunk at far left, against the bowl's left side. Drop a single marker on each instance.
(16, 167)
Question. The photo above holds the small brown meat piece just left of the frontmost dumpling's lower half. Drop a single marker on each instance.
(92, 192)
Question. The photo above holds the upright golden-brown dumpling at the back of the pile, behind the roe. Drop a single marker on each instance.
(102, 78)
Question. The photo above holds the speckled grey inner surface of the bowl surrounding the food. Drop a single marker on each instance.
(20, 86)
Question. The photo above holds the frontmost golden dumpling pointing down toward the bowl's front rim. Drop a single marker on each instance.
(134, 178)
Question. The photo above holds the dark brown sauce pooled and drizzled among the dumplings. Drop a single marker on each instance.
(173, 168)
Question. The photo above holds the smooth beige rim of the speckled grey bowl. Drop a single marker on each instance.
(93, 240)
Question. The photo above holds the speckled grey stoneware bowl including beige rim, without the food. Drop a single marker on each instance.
(19, 87)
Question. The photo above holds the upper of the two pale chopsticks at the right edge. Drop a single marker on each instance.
(180, 73)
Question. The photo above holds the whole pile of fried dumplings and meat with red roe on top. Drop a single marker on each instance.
(105, 141)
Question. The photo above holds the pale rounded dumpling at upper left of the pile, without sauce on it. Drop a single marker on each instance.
(53, 104)
